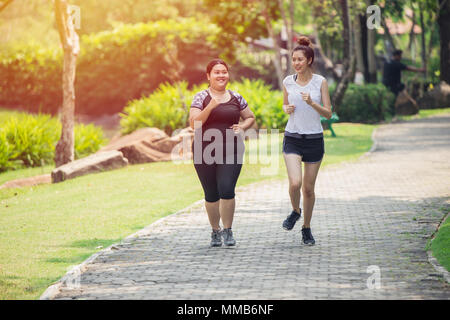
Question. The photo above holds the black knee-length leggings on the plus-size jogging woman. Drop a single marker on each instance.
(218, 180)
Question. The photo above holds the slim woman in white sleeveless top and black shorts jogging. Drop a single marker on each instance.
(306, 98)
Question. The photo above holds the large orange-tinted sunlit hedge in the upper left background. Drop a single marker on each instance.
(113, 67)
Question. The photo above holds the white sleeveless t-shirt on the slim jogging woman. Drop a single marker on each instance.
(304, 120)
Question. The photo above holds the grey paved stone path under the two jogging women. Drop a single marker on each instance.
(378, 211)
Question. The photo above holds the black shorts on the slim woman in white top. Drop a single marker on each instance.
(311, 150)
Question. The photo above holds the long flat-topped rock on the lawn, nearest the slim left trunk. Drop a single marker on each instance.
(97, 162)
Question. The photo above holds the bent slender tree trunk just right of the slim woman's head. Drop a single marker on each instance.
(349, 59)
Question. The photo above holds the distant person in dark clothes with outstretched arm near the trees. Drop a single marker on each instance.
(392, 73)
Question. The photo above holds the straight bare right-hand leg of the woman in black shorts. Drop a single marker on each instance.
(309, 180)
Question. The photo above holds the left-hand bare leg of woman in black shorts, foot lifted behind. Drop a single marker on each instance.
(294, 170)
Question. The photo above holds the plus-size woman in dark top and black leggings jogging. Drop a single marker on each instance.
(218, 110)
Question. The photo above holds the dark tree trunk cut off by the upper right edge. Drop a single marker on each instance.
(444, 26)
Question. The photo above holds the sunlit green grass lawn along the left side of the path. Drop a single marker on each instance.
(46, 229)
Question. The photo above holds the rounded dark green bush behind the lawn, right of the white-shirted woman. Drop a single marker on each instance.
(368, 103)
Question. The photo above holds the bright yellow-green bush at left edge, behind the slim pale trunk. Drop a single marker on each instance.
(29, 140)
